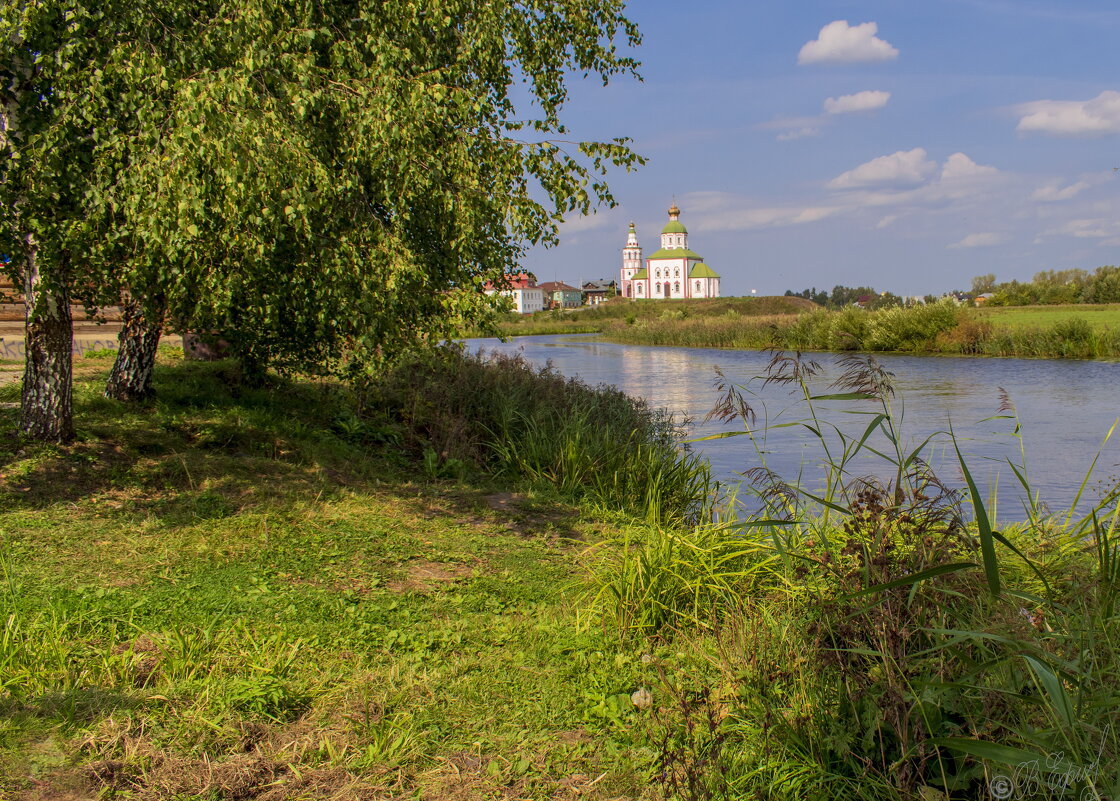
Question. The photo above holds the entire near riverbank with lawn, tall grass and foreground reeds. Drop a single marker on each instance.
(478, 580)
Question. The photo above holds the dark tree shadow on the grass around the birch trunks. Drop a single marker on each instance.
(203, 450)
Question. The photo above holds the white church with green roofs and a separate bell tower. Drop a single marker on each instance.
(674, 272)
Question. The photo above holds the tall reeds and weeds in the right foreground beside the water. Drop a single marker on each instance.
(878, 637)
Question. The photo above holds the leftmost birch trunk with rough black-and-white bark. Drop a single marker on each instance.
(48, 404)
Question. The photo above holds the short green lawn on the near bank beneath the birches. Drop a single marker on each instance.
(270, 593)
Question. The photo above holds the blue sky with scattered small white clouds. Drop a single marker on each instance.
(899, 145)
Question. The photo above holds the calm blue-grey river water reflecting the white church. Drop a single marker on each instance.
(1066, 409)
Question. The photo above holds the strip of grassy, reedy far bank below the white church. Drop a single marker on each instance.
(942, 328)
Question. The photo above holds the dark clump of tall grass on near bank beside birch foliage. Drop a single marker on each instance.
(505, 416)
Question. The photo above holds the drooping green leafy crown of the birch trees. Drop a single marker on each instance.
(324, 184)
